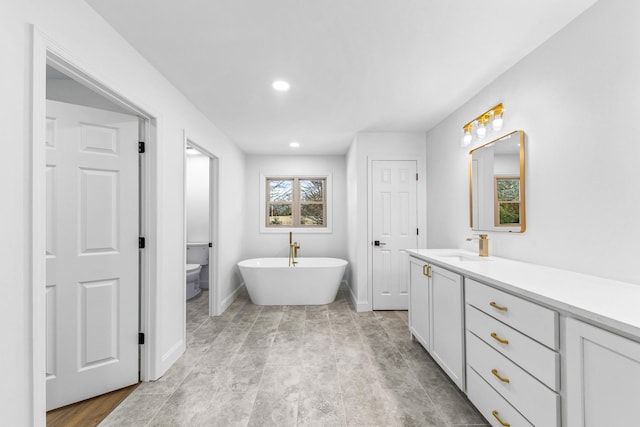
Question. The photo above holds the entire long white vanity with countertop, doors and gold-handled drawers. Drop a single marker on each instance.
(543, 346)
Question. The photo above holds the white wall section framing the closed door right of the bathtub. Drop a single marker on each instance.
(368, 146)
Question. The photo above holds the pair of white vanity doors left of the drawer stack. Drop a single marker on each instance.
(436, 315)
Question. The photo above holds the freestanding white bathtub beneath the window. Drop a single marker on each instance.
(313, 281)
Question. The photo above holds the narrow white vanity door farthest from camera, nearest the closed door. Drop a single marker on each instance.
(419, 301)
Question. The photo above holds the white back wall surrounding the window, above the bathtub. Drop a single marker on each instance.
(259, 244)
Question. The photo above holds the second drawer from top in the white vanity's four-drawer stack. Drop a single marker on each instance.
(540, 361)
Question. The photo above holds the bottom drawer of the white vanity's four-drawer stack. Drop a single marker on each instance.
(490, 404)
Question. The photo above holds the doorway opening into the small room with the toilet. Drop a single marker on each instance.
(200, 224)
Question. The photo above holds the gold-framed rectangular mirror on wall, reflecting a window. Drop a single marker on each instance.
(497, 185)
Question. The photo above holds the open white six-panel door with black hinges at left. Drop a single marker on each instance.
(92, 252)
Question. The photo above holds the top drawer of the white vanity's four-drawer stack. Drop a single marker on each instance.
(533, 320)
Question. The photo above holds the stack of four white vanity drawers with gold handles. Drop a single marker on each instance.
(512, 358)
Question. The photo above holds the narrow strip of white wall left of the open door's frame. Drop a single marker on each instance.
(15, 296)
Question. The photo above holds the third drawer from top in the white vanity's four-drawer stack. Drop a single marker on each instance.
(534, 400)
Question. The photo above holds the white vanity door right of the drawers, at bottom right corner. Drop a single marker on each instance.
(603, 377)
